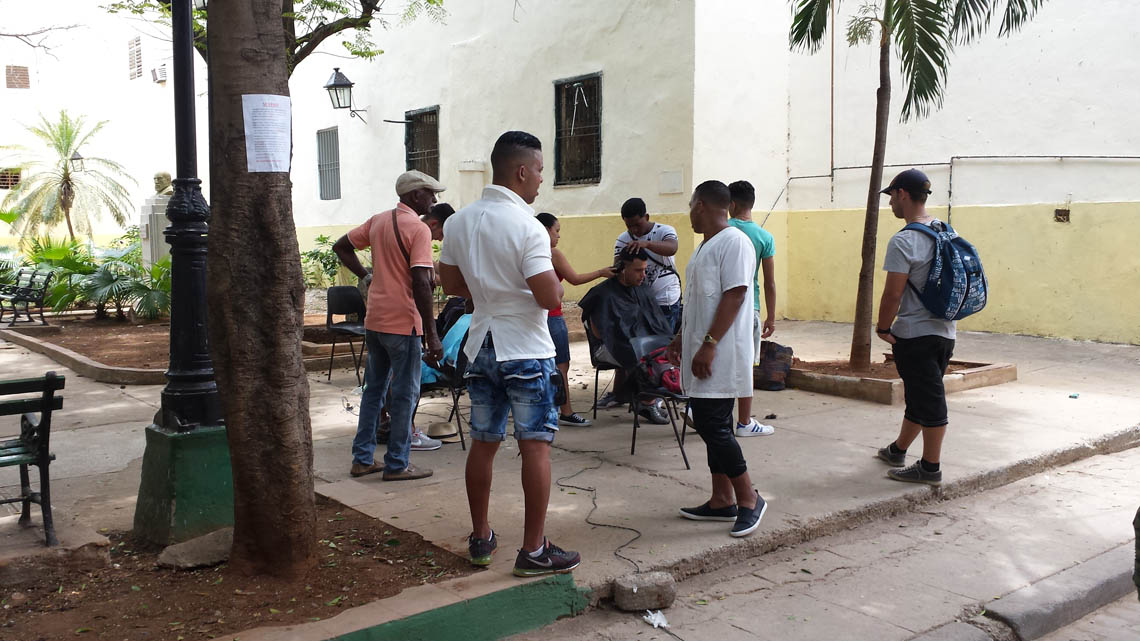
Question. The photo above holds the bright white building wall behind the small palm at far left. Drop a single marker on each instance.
(87, 75)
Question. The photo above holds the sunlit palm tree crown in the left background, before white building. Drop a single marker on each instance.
(63, 186)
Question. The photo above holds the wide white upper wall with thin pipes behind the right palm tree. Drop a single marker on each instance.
(1066, 84)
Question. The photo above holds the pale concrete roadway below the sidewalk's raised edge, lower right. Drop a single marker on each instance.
(924, 575)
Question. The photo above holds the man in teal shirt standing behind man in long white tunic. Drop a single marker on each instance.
(744, 198)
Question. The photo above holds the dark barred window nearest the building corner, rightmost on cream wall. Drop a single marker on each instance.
(579, 131)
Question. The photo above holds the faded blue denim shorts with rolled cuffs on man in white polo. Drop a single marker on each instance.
(522, 388)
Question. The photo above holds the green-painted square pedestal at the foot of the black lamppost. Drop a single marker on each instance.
(188, 487)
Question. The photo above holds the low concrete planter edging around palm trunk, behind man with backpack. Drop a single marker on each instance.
(891, 391)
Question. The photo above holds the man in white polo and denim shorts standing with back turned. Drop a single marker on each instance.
(499, 256)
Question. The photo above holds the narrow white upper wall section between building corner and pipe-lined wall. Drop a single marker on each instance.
(740, 127)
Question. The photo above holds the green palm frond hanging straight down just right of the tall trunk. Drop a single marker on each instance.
(922, 34)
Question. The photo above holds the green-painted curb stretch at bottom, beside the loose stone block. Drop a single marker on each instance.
(494, 616)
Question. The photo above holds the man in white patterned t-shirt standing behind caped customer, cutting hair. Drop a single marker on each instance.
(661, 243)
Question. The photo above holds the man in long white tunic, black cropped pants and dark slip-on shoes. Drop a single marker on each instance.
(714, 351)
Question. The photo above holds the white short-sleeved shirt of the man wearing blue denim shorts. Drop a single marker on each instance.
(498, 245)
